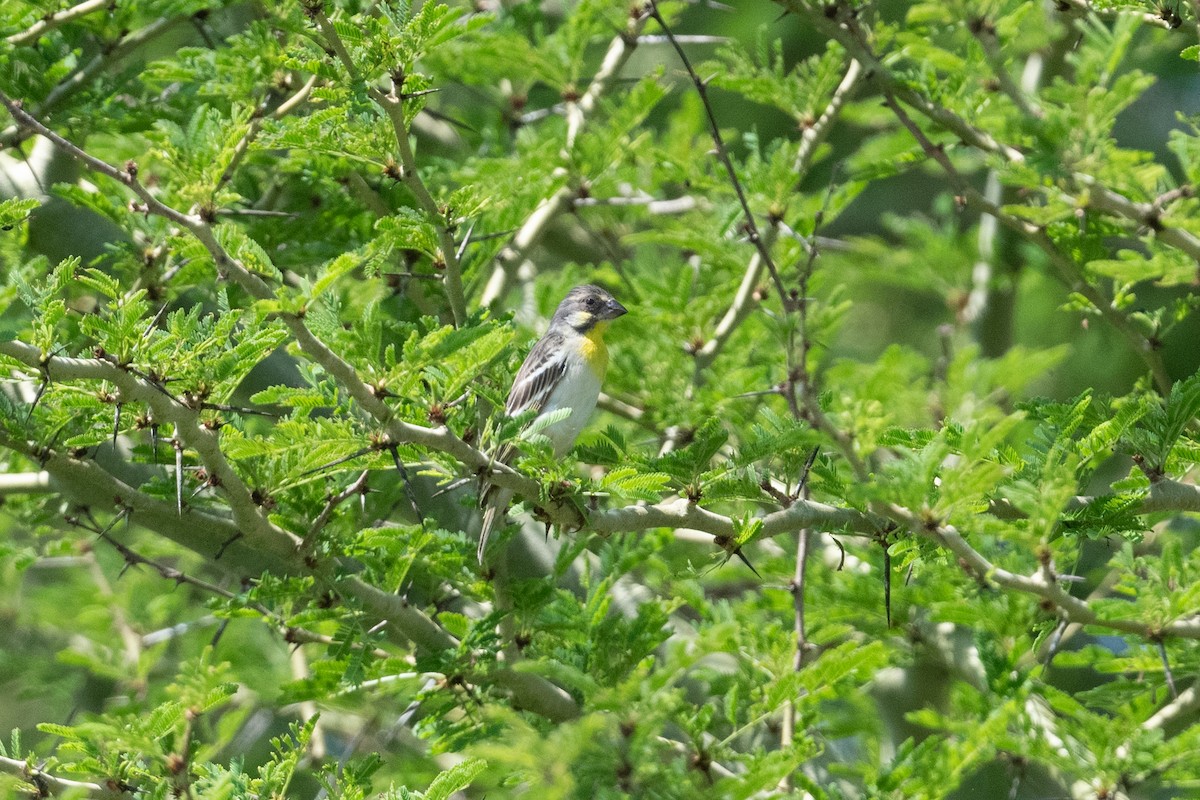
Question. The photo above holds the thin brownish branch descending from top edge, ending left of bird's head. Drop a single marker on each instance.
(393, 105)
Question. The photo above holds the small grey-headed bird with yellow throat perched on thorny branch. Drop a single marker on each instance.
(563, 370)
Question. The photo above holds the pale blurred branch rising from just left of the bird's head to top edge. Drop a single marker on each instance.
(517, 252)
